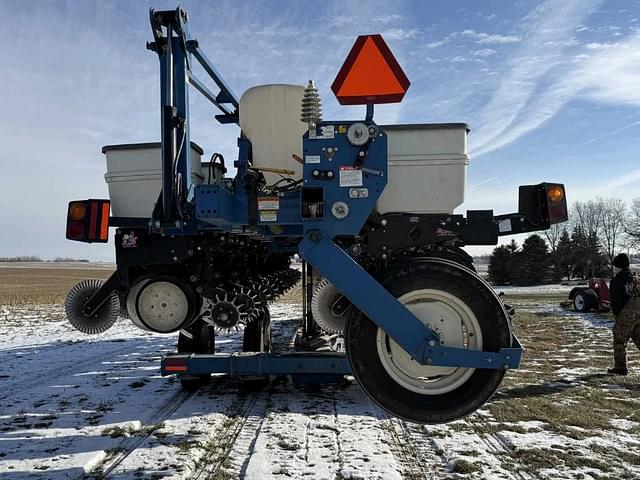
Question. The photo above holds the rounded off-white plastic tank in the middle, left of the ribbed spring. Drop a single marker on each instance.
(270, 118)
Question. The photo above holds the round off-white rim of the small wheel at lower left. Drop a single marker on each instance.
(162, 306)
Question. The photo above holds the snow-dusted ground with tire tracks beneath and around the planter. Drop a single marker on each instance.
(78, 407)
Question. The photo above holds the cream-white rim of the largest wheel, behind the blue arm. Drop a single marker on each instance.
(458, 326)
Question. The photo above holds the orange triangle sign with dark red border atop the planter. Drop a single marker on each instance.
(370, 74)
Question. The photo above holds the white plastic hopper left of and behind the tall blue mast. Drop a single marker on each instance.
(134, 176)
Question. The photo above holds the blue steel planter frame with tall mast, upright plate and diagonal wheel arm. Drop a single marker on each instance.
(217, 207)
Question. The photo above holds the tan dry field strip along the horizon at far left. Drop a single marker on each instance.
(42, 285)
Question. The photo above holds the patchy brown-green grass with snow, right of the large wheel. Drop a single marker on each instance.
(562, 383)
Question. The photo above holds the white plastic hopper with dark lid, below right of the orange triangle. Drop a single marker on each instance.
(427, 168)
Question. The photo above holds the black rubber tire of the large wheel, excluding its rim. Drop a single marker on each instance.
(382, 389)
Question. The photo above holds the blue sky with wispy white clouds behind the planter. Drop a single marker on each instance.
(551, 90)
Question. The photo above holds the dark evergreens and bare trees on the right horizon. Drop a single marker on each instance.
(583, 247)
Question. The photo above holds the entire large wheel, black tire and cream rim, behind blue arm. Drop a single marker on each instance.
(464, 311)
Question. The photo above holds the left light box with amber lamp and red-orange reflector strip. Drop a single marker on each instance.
(88, 220)
